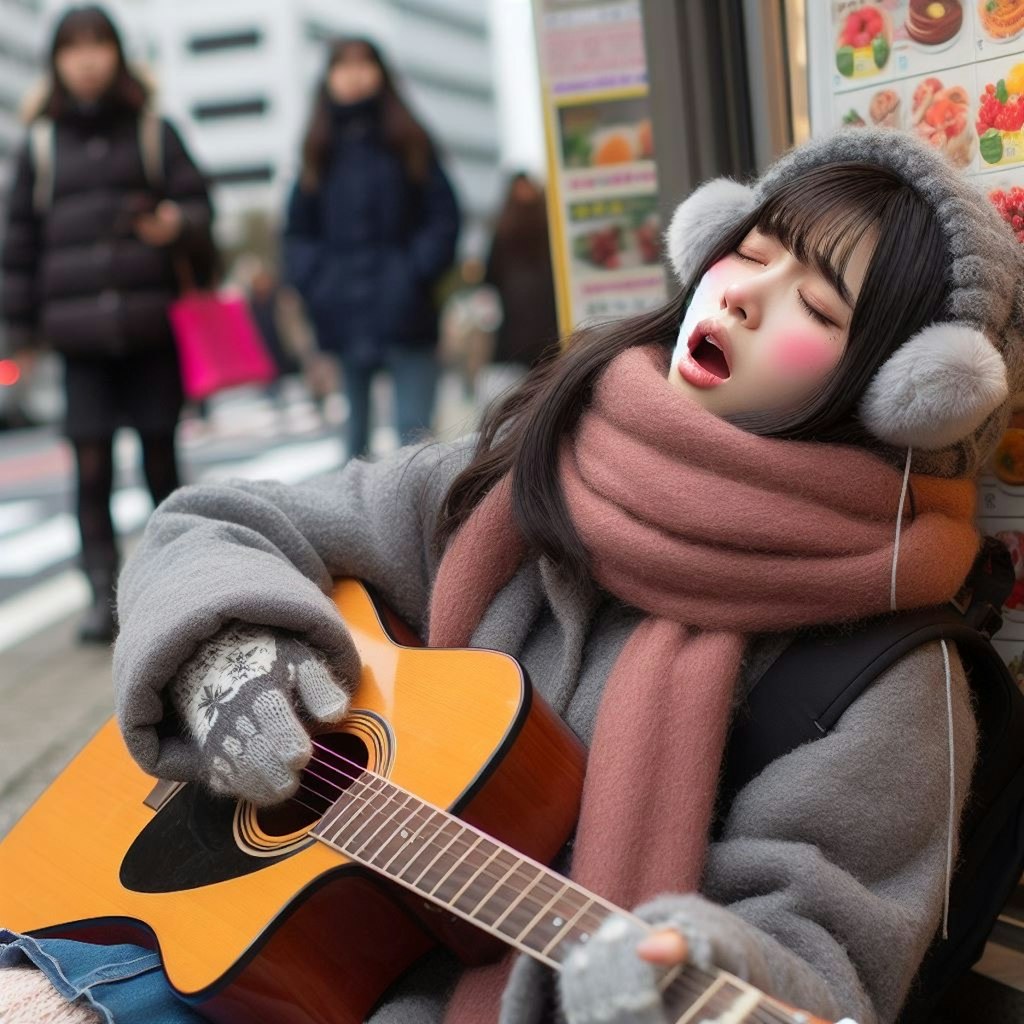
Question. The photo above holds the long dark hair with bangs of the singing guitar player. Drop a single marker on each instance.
(821, 218)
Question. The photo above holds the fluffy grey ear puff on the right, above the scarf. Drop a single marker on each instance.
(936, 389)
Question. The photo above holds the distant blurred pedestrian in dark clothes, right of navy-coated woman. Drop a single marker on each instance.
(520, 268)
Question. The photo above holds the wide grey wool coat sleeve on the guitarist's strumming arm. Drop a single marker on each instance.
(266, 553)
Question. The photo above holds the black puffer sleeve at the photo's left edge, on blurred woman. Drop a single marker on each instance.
(20, 261)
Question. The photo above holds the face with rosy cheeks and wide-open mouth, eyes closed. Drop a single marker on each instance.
(764, 330)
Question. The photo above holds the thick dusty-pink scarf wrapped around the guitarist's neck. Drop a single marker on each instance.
(716, 534)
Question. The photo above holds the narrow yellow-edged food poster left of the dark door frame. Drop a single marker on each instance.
(603, 178)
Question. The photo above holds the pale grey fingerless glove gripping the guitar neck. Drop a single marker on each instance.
(607, 983)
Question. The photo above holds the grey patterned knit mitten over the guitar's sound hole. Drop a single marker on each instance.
(241, 697)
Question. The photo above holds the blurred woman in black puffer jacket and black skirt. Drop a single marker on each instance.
(90, 270)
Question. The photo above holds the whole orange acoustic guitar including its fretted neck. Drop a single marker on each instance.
(426, 817)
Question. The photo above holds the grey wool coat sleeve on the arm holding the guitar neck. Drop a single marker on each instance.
(829, 882)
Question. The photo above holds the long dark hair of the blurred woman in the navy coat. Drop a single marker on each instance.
(400, 130)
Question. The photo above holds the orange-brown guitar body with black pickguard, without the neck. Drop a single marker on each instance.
(255, 920)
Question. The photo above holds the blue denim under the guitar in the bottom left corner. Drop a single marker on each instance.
(124, 984)
